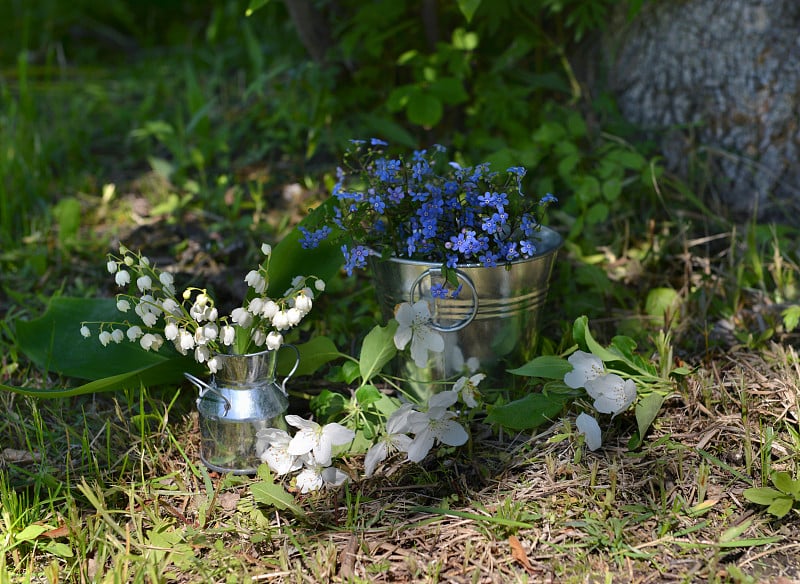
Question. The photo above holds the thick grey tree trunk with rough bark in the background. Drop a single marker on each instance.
(719, 80)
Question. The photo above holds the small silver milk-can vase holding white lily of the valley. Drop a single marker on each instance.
(242, 398)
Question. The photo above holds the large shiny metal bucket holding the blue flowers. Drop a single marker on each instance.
(493, 322)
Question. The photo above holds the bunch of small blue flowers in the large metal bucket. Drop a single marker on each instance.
(428, 208)
